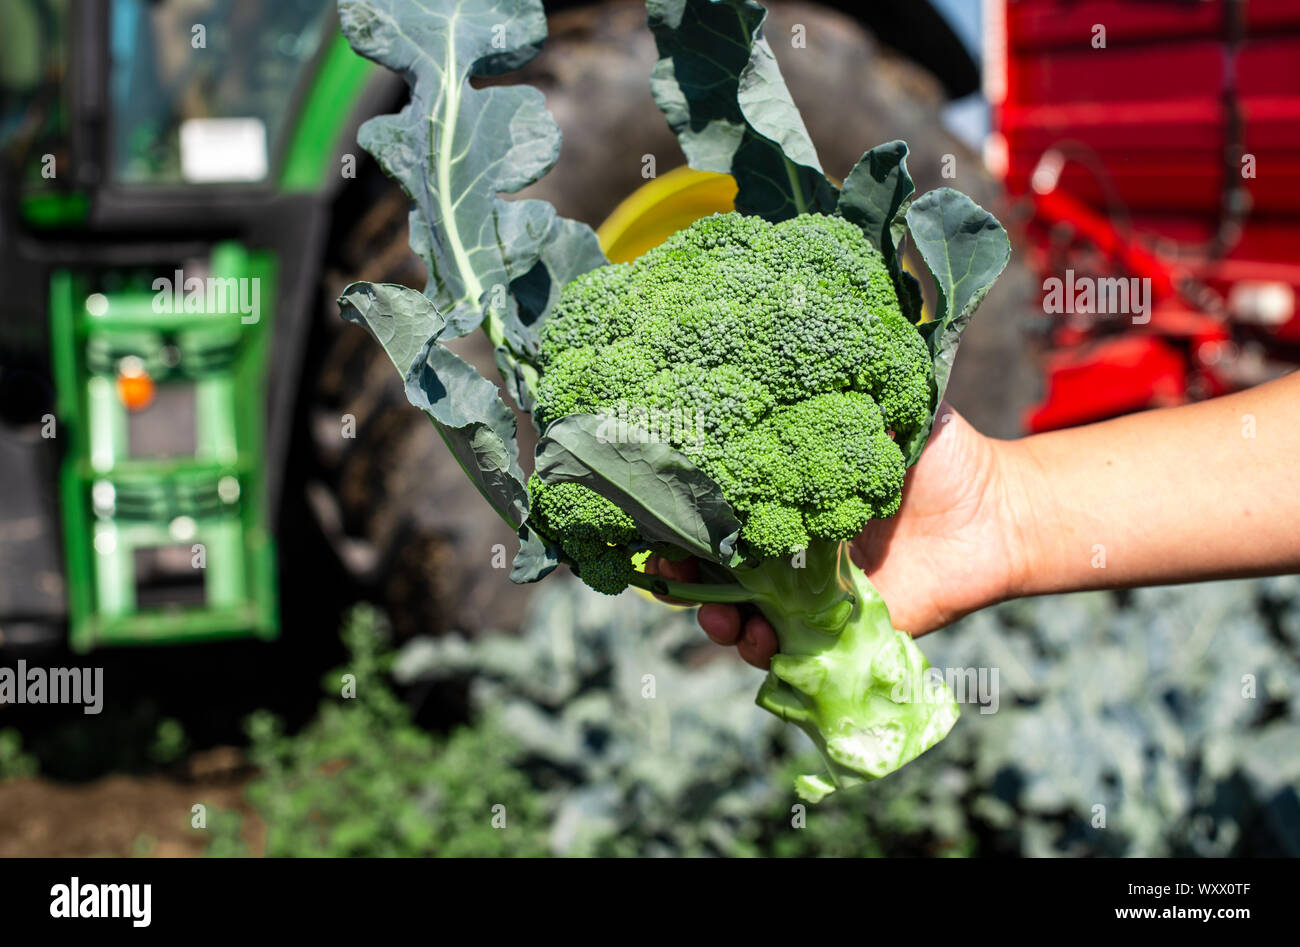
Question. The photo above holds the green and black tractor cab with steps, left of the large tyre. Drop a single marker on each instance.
(171, 178)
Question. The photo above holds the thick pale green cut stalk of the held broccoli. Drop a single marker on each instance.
(844, 674)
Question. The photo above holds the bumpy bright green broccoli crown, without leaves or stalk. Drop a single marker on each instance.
(774, 356)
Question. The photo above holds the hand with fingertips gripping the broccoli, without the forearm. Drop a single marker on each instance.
(954, 547)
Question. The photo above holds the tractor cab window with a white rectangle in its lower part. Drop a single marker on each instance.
(203, 90)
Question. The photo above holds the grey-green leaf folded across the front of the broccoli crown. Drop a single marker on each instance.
(670, 499)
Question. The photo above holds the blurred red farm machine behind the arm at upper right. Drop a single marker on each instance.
(1152, 149)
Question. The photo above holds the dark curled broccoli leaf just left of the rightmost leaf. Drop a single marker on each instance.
(876, 197)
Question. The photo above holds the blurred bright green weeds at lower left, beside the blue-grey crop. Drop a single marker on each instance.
(362, 780)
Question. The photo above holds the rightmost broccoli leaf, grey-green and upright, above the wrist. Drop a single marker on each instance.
(965, 250)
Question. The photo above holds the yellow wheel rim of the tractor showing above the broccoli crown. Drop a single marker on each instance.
(661, 207)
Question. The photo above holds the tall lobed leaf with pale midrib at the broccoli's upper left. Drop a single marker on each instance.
(454, 149)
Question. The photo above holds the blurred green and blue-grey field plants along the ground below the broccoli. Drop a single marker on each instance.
(1126, 725)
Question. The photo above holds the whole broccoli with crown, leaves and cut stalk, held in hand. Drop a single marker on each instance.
(785, 341)
